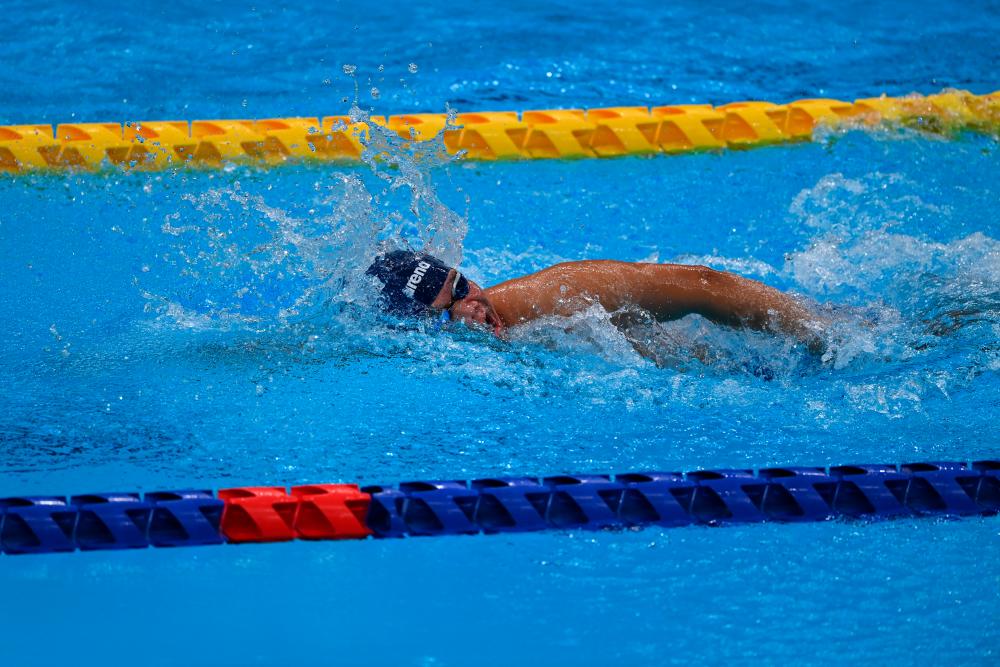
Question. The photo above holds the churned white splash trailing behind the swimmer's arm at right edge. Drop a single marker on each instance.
(928, 305)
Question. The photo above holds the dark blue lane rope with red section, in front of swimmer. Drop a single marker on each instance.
(42, 524)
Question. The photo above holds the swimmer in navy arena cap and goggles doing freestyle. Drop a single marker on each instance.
(415, 283)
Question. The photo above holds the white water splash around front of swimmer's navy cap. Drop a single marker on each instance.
(239, 257)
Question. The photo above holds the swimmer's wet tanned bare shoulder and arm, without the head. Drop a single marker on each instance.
(668, 291)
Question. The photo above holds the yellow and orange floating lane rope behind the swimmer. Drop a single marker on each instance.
(498, 135)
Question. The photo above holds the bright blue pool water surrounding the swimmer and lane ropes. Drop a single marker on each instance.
(211, 329)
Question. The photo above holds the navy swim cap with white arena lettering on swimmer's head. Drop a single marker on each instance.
(411, 280)
